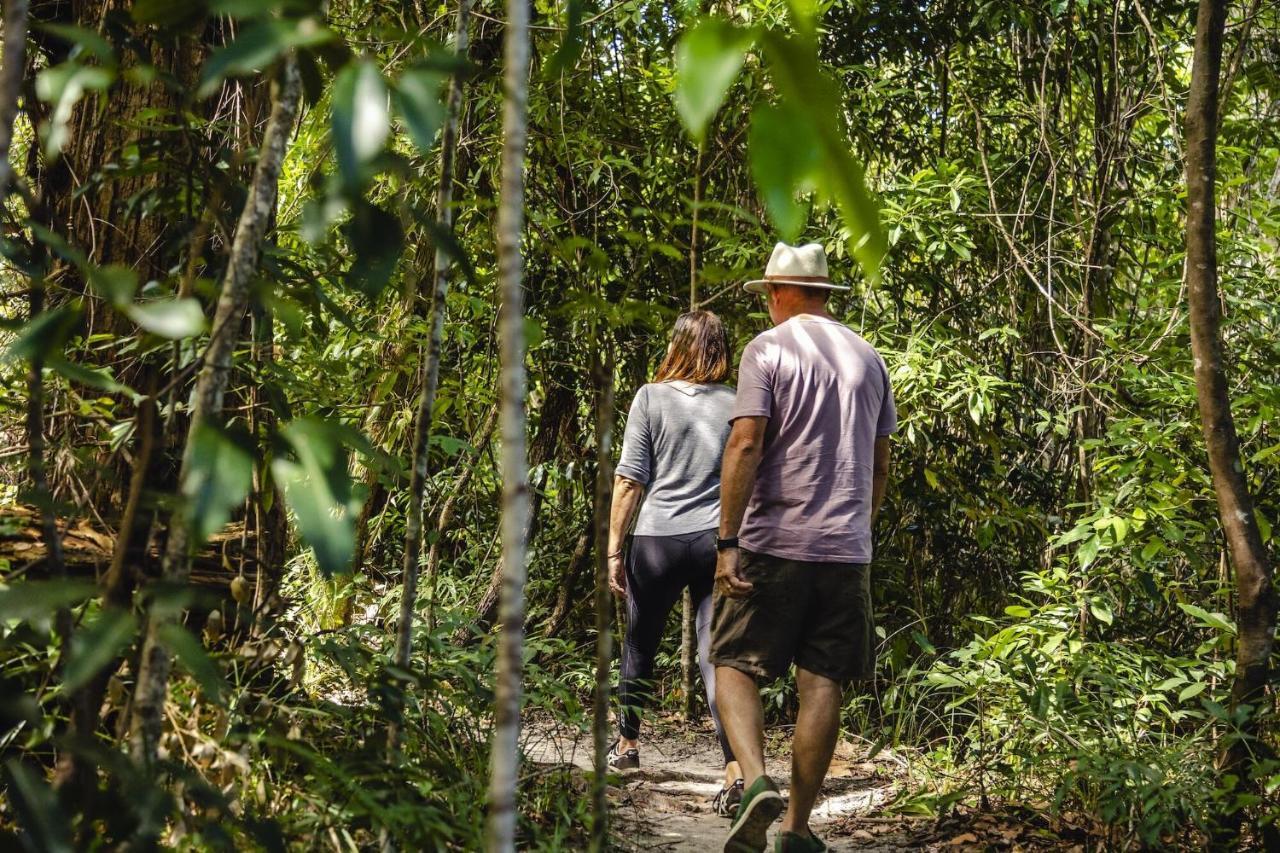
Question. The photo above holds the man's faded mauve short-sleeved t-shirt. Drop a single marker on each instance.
(826, 394)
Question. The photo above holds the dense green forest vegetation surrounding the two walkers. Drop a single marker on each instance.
(298, 295)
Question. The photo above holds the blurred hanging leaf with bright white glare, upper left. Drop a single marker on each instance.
(360, 121)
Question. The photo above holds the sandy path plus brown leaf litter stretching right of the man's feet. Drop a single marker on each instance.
(666, 805)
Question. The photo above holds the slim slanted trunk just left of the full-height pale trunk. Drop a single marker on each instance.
(432, 368)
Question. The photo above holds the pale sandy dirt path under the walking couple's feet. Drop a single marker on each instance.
(668, 804)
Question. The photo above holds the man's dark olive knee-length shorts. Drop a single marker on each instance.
(817, 615)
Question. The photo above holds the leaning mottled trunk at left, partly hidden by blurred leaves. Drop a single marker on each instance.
(153, 682)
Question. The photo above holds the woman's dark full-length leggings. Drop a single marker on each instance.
(659, 571)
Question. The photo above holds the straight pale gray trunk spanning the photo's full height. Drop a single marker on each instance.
(505, 756)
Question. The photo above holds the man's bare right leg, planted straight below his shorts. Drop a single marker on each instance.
(812, 747)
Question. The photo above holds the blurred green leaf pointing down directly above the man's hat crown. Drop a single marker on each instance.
(784, 149)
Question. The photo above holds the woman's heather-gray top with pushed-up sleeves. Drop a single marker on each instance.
(673, 446)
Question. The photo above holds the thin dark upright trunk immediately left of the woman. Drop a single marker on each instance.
(604, 371)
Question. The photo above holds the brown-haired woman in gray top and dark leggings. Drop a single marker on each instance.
(668, 482)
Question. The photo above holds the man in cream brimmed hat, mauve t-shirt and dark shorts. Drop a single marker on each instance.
(802, 482)
